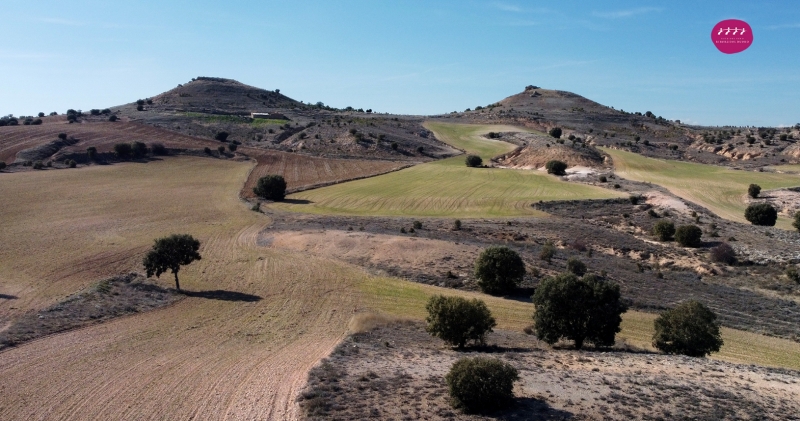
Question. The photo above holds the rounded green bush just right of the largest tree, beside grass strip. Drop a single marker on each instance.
(688, 329)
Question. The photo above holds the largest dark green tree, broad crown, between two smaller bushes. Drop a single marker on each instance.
(578, 309)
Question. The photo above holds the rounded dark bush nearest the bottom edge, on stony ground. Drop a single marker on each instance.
(481, 384)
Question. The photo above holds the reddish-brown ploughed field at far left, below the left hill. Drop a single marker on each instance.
(102, 135)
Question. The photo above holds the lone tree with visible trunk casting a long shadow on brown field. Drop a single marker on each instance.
(170, 253)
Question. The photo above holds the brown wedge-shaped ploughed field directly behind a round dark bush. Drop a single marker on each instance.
(302, 172)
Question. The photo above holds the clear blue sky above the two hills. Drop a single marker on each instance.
(415, 57)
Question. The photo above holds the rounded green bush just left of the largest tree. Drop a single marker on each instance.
(457, 320)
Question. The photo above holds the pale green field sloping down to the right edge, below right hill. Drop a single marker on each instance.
(721, 190)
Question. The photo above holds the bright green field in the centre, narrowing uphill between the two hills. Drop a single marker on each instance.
(447, 188)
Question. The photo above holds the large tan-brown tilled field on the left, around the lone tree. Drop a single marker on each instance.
(211, 355)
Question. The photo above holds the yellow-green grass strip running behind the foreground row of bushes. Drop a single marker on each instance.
(405, 299)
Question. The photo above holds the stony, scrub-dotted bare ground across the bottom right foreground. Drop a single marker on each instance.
(397, 372)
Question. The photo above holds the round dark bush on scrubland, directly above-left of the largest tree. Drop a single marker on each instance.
(499, 270)
